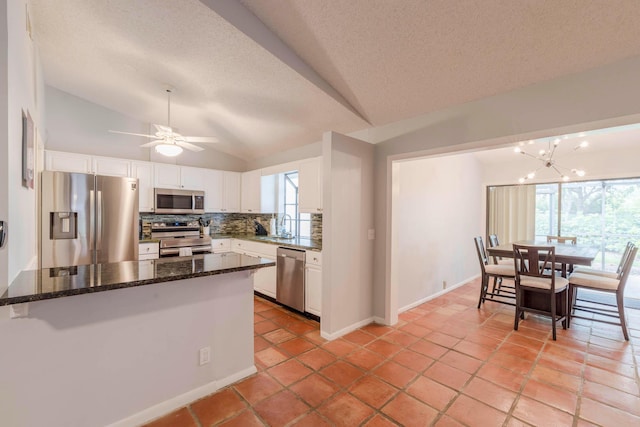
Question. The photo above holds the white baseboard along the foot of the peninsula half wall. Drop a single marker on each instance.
(179, 401)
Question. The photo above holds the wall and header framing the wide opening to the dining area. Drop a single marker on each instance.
(598, 98)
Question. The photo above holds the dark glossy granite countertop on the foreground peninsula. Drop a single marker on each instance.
(48, 283)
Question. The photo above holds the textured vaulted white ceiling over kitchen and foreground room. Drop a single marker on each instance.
(390, 60)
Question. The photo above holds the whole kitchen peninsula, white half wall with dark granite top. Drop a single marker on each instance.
(137, 338)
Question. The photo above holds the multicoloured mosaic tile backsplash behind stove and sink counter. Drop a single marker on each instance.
(235, 223)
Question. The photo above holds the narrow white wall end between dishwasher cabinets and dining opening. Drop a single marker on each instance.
(347, 253)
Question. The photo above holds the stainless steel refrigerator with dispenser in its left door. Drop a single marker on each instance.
(87, 219)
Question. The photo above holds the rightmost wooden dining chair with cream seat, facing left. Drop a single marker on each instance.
(606, 284)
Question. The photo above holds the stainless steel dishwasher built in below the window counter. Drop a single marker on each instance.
(290, 281)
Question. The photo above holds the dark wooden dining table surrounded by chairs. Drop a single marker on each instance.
(567, 254)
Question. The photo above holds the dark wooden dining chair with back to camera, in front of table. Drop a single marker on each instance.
(538, 289)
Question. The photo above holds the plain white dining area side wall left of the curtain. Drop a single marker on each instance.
(436, 213)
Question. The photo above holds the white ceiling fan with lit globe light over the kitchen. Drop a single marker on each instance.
(169, 142)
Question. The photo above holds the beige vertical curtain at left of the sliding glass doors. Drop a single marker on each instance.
(512, 212)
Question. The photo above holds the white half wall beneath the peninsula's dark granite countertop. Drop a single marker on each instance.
(97, 359)
